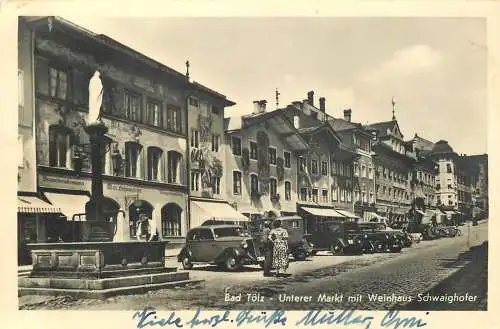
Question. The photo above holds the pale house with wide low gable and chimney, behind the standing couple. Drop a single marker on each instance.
(262, 151)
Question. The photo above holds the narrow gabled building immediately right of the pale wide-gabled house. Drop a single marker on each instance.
(325, 177)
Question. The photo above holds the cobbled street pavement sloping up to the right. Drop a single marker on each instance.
(378, 281)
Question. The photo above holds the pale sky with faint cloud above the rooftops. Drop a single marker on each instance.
(434, 68)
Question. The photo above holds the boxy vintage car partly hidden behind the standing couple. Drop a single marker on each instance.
(298, 245)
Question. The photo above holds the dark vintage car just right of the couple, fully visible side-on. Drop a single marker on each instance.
(338, 237)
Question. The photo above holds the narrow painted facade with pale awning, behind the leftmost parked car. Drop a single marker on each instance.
(207, 159)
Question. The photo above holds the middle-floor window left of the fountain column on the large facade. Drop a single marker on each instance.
(59, 147)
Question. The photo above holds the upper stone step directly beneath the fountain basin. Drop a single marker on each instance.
(102, 284)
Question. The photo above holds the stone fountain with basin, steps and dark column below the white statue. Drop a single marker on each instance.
(96, 266)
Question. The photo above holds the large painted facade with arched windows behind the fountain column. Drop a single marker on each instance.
(145, 107)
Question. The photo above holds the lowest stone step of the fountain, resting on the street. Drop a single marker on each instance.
(101, 294)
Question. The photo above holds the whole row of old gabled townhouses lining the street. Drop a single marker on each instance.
(173, 153)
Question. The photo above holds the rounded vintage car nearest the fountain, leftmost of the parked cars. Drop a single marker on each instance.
(227, 246)
